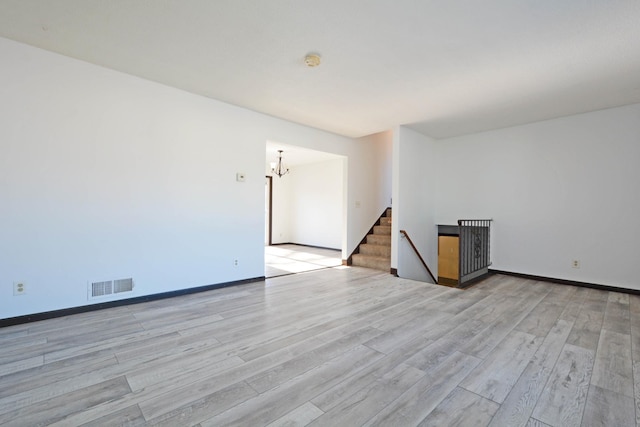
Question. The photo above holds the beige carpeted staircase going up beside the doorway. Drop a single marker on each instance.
(375, 252)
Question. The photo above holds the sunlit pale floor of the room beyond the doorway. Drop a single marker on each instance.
(281, 260)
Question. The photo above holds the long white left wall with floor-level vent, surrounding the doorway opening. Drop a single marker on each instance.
(104, 176)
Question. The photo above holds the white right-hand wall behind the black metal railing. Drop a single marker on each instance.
(558, 190)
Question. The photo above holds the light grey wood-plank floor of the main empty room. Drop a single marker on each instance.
(336, 347)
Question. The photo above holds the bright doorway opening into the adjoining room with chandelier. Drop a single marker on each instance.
(305, 210)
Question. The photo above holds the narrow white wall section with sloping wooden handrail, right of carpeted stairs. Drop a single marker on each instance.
(414, 204)
